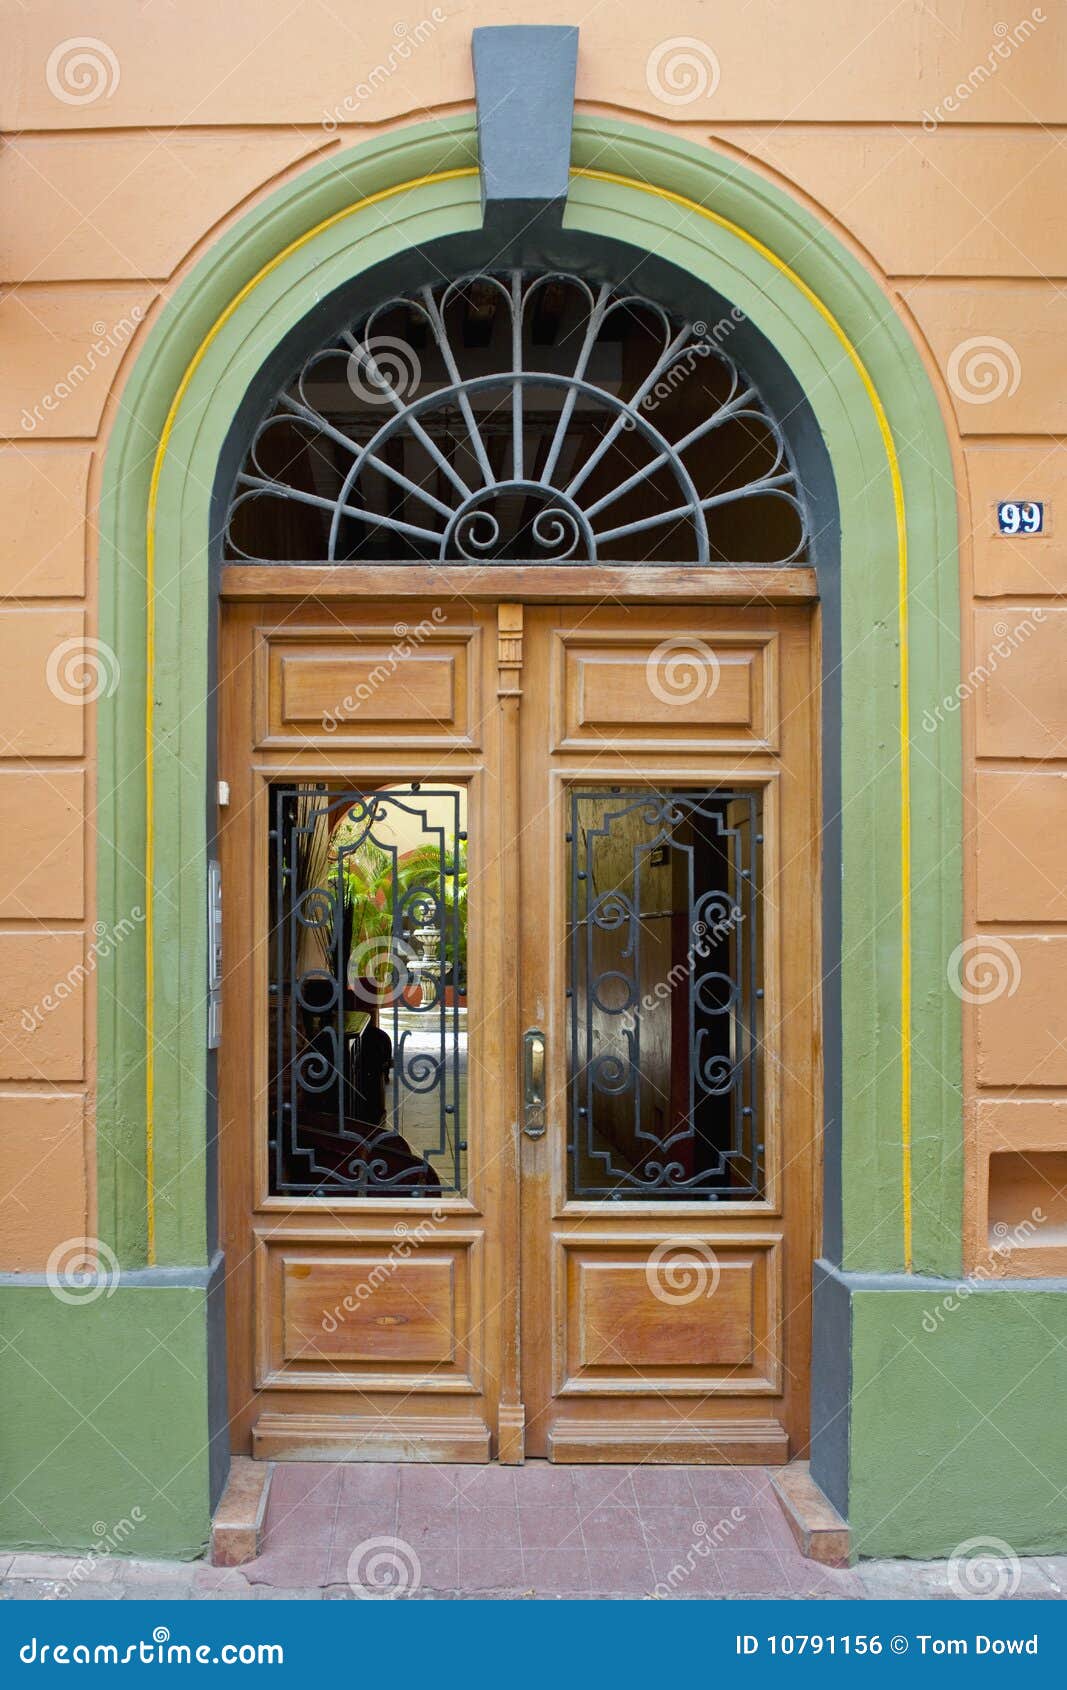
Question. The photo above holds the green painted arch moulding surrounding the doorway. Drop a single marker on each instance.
(799, 285)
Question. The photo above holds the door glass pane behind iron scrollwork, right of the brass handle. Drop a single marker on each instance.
(665, 995)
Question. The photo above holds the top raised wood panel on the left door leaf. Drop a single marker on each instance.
(329, 689)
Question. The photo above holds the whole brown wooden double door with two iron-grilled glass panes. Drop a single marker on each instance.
(520, 1030)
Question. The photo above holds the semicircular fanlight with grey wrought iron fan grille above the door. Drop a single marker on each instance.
(520, 417)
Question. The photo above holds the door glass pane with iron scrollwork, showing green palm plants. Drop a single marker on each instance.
(368, 991)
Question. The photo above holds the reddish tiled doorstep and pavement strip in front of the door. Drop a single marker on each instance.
(530, 1534)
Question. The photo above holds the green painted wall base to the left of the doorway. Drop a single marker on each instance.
(104, 1407)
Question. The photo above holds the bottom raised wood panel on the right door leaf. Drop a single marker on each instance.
(635, 1322)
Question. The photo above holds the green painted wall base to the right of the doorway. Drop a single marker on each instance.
(956, 1426)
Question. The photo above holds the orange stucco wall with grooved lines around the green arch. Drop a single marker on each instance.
(929, 136)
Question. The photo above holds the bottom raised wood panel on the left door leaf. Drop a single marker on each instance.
(339, 1316)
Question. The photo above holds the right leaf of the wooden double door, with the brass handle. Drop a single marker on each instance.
(620, 1365)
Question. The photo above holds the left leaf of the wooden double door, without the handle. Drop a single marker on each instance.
(359, 1327)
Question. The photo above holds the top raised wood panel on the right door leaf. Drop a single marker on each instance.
(672, 690)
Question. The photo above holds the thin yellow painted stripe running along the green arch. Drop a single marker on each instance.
(902, 553)
